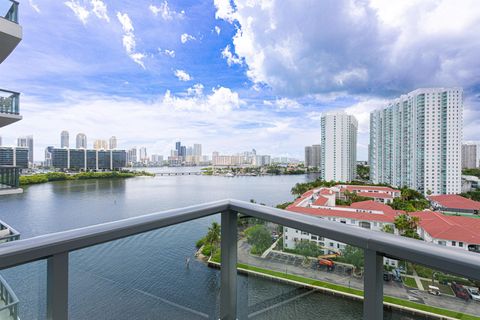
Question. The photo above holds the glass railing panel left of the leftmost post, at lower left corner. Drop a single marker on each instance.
(24, 287)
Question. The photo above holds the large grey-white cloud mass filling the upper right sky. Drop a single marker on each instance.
(359, 47)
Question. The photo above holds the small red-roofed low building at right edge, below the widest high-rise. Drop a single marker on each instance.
(455, 204)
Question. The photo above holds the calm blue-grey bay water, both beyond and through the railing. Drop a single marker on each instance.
(145, 276)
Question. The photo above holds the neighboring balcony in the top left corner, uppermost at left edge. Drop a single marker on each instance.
(10, 30)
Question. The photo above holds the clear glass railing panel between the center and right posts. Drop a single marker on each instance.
(293, 274)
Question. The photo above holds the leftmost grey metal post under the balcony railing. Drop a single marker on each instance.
(57, 287)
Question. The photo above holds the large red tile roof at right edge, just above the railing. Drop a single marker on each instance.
(456, 228)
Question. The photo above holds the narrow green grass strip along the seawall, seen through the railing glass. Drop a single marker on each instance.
(397, 301)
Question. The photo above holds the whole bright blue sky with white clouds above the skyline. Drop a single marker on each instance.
(232, 75)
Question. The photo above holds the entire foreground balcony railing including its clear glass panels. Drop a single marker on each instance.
(76, 278)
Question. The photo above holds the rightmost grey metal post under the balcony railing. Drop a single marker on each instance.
(373, 286)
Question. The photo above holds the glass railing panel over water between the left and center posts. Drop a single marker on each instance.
(147, 276)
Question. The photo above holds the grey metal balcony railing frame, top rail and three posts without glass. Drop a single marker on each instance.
(376, 245)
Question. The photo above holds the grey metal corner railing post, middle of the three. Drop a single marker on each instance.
(228, 274)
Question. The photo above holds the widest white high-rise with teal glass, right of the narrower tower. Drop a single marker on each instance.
(416, 140)
